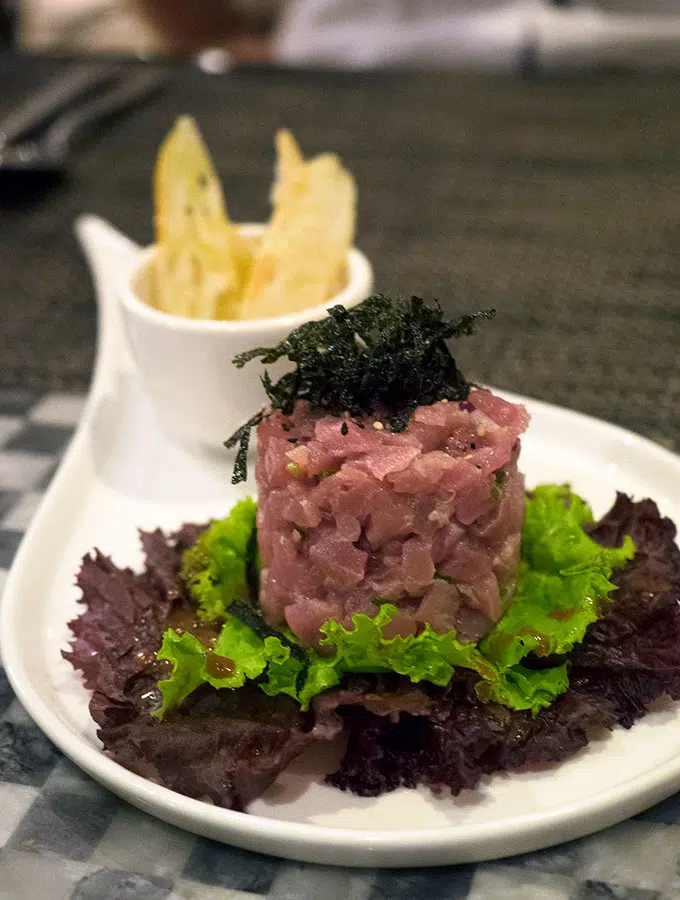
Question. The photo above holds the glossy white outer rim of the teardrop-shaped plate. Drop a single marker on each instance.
(312, 842)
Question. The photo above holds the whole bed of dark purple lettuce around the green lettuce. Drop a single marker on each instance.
(226, 747)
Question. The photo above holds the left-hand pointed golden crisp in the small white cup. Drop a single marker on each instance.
(201, 263)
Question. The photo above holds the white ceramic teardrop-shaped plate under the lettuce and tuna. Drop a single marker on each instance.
(122, 473)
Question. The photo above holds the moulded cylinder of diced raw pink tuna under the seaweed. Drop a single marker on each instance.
(428, 518)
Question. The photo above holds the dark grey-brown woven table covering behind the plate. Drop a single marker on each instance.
(557, 202)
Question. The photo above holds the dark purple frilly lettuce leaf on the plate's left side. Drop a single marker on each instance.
(224, 747)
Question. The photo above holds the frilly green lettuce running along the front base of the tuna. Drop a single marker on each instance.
(363, 648)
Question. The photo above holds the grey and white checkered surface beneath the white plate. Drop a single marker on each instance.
(64, 837)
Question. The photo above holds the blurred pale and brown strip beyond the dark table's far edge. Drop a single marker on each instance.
(480, 34)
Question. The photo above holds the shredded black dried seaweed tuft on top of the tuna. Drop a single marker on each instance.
(382, 355)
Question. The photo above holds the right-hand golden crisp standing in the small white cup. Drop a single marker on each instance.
(302, 256)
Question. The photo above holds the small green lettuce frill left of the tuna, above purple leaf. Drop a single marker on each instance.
(217, 568)
